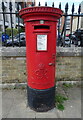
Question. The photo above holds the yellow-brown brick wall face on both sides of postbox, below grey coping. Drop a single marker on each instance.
(14, 69)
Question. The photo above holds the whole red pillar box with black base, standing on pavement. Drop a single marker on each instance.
(41, 33)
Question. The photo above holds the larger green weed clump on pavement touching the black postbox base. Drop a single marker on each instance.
(59, 101)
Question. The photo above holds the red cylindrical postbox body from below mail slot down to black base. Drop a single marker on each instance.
(41, 50)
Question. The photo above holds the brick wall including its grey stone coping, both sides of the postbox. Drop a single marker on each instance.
(13, 64)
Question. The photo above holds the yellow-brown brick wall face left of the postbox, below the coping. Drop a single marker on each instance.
(13, 69)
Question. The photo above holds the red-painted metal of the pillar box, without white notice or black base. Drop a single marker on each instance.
(40, 63)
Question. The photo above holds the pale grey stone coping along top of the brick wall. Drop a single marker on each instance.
(21, 51)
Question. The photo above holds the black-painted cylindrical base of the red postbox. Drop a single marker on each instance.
(41, 100)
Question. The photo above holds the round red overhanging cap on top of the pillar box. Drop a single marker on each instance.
(41, 12)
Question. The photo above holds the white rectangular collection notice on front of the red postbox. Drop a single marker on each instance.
(42, 42)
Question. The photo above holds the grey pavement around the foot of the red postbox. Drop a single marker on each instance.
(14, 105)
